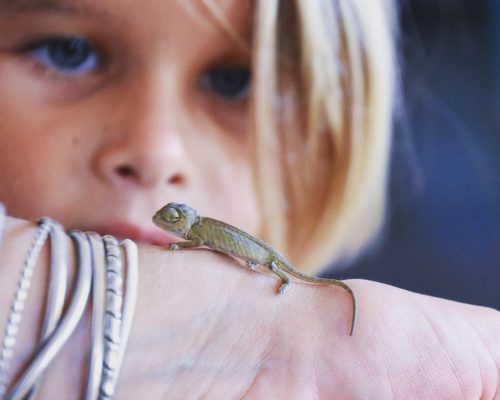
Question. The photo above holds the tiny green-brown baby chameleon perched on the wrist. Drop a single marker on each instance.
(183, 221)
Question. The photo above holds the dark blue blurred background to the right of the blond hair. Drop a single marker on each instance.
(443, 229)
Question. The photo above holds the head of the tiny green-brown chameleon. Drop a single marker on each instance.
(176, 218)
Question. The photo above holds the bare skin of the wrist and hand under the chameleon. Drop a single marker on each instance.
(210, 328)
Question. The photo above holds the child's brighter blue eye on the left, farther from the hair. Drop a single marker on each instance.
(69, 56)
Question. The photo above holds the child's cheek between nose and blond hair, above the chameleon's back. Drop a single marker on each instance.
(222, 156)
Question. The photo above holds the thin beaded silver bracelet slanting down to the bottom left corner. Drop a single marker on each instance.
(17, 307)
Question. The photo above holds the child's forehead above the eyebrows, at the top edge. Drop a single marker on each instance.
(229, 19)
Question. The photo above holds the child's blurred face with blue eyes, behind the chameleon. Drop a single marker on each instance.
(110, 109)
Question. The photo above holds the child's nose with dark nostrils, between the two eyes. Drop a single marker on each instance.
(143, 145)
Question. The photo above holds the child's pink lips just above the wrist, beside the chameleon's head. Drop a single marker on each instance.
(124, 230)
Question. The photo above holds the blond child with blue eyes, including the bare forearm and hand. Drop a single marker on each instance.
(272, 116)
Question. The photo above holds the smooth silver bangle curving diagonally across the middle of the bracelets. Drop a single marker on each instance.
(65, 328)
